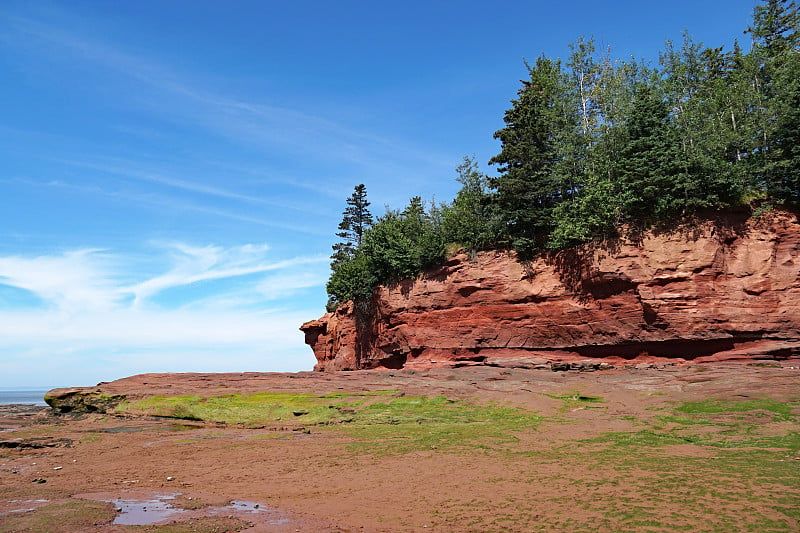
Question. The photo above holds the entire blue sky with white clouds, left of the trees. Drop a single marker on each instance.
(172, 172)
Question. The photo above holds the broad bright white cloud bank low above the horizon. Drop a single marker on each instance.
(94, 320)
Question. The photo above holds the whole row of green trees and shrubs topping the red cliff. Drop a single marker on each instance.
(595, 144)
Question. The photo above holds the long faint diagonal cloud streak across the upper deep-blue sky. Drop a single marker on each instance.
(257, 123)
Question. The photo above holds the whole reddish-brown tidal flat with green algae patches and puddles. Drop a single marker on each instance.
(711, 447)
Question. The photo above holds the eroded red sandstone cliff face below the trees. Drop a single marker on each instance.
(725, 289)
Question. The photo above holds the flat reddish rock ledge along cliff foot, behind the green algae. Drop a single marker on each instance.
(458, 380)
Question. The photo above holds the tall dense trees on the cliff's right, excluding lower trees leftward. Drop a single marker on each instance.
(605, 142)
